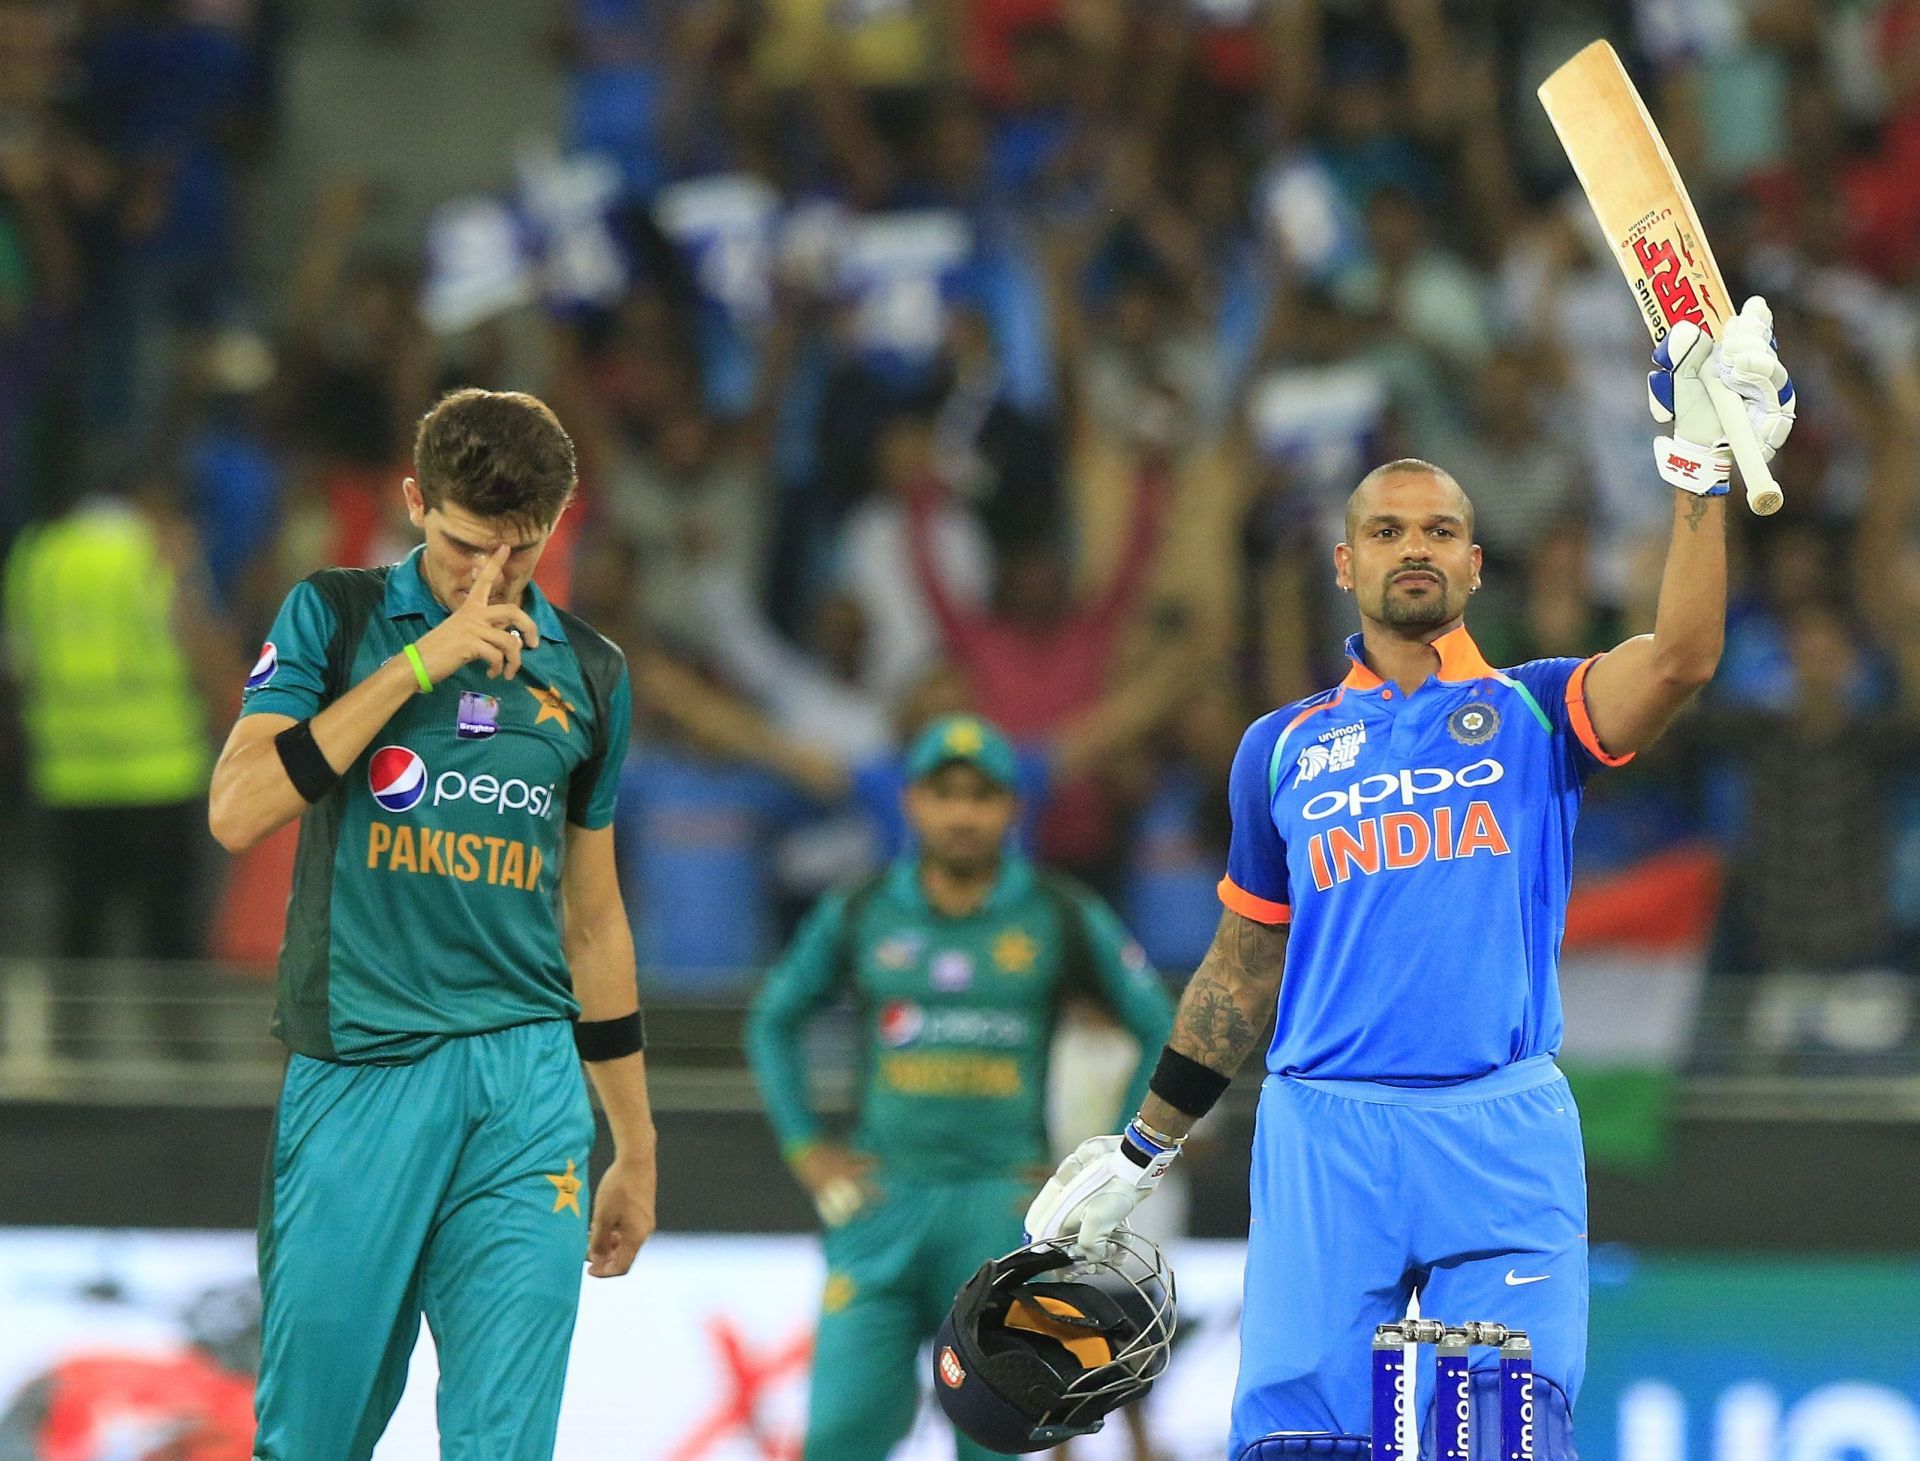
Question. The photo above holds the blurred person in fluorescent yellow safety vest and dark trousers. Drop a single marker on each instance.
(108, 644)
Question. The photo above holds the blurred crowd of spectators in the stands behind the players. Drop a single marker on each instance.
(997, 354)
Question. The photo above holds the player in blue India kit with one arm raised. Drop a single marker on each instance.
(1397, 890)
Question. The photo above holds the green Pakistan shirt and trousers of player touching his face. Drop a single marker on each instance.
(433, 1134)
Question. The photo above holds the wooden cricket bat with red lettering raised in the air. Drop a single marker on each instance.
(1643, 206)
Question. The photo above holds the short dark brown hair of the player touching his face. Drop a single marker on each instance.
(496, 454)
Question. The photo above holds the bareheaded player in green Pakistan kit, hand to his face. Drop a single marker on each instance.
(456, 949)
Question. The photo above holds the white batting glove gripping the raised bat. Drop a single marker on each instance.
(1696, 458)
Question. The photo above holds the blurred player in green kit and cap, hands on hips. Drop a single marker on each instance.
(957, 961)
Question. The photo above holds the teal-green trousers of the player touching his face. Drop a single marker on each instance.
(452, 1187)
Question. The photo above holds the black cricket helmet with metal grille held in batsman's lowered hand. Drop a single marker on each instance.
(1044, 1345)
